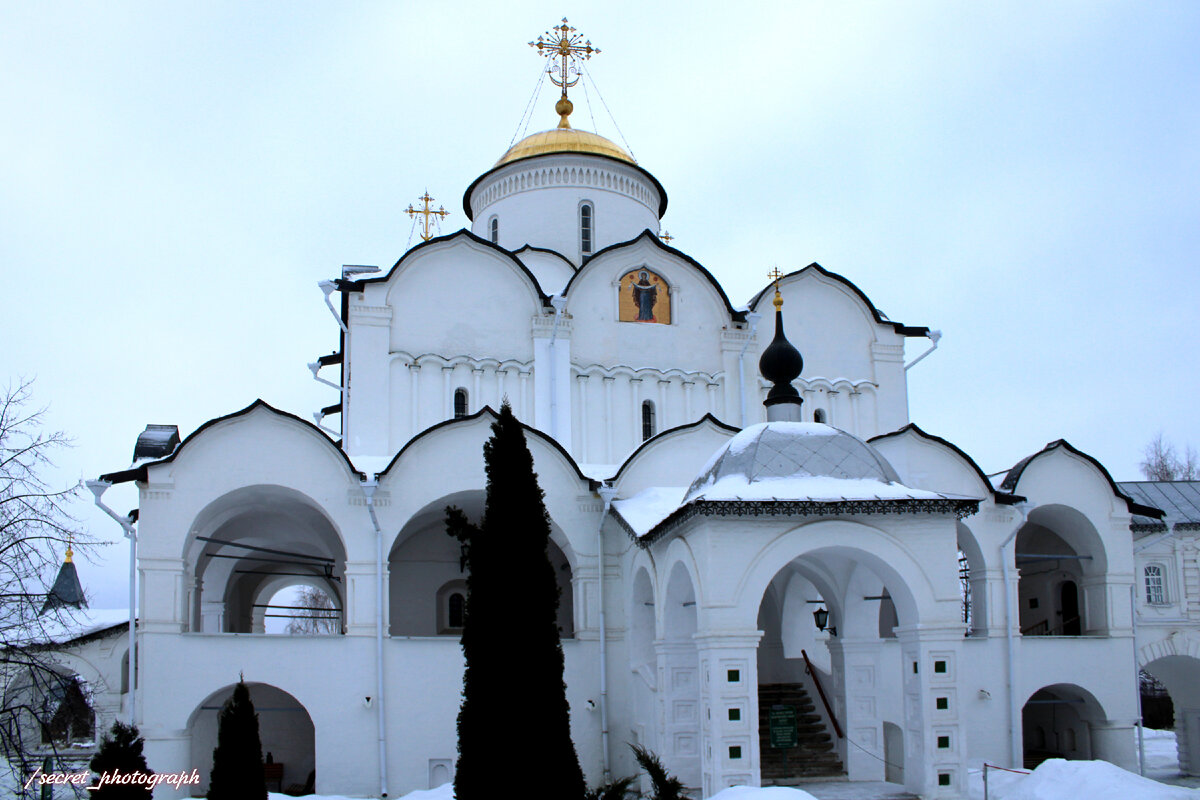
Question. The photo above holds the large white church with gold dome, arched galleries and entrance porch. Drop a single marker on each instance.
(770, 573)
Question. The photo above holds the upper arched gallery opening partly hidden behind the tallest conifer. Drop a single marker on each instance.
(427, 570)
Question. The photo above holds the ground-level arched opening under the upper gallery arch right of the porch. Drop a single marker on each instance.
(1059, 721)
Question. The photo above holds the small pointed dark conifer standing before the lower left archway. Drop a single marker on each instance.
(238, 759)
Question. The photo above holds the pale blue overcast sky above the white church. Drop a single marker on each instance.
(1024, 177)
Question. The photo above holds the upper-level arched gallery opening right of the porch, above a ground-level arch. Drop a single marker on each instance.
(1063, 568)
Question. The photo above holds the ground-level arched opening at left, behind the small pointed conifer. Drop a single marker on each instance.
(285, 729)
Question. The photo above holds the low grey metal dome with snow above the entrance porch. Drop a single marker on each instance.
(793, 450)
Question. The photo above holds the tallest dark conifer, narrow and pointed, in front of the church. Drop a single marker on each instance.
(514, 715)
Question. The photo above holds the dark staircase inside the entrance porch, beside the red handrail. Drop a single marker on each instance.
(814, 757)
